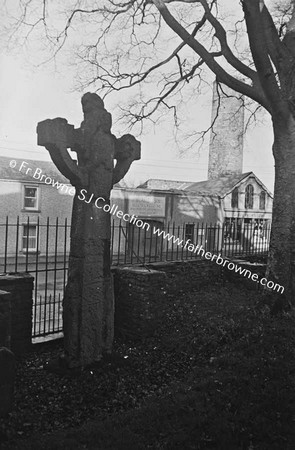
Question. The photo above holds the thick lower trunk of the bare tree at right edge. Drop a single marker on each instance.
(281, 262)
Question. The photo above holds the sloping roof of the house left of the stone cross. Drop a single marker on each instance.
(47, 167)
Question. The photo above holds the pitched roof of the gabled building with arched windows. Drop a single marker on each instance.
(223, 185)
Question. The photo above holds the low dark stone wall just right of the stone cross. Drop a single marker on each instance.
(140, 292)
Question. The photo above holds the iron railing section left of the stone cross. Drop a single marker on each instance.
(41, 249)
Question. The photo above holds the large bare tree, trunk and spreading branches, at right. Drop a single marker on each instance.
(170, 43)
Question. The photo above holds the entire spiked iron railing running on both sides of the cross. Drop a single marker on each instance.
(42, 249)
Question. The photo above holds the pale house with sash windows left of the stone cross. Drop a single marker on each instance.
(29, 200)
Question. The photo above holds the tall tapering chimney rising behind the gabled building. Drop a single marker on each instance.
(226, 138)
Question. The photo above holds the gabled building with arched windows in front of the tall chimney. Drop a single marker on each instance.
(238, 197)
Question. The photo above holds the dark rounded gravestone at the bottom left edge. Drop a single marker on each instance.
(7, 375)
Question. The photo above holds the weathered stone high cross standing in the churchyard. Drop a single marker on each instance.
(88, 305)
